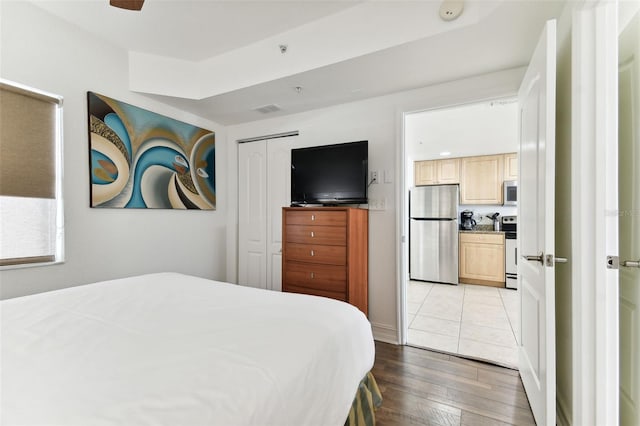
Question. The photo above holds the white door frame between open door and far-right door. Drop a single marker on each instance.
(594, 201)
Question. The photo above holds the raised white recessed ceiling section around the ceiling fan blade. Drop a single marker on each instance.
(190, 29)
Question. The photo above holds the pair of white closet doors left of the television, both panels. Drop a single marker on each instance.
(264, 187)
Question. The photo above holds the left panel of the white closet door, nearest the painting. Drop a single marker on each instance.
(252, 214)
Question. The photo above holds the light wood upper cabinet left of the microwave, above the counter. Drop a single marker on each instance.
(481, 179)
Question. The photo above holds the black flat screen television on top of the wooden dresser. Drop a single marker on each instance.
(330, 174)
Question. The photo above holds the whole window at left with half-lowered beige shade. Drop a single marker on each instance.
(31, 220)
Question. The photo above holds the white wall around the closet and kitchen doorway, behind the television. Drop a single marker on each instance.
(378, 120)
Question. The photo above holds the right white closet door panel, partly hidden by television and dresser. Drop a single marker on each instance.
(278, 196)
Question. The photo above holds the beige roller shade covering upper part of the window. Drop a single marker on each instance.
(27, 143)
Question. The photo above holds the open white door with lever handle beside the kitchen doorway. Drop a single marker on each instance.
(536, 228)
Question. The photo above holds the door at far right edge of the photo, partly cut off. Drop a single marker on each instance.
(629, 220)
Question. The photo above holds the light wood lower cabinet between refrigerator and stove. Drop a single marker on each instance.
(481, 258)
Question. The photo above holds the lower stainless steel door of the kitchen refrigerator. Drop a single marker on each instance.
(434, 250)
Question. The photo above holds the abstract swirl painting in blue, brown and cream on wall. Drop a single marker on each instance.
(141, 160)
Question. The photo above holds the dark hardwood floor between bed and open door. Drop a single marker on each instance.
(421, 387)
